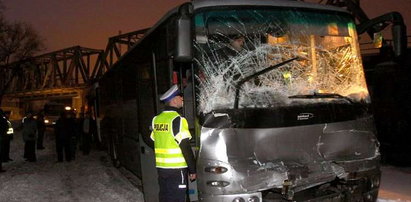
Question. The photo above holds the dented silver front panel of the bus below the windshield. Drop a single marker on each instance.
(310, 155)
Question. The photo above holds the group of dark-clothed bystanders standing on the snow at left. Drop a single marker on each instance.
(68, 131)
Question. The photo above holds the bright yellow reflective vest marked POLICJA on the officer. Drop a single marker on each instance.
(167, 151)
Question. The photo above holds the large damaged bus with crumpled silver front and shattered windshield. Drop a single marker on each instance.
(283, 116)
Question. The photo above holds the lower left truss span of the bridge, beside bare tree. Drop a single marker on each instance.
(67, 68)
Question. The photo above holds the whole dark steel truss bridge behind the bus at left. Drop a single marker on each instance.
(64, 73)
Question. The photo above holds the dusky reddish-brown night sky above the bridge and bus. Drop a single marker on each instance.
(89, 23)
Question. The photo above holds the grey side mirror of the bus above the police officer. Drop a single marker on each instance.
(184, 50)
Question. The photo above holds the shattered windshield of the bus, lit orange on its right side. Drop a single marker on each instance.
(232, 45)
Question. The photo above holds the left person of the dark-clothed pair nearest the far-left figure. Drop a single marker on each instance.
(30, 137)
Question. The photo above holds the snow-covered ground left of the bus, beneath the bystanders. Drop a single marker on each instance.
(87, 178)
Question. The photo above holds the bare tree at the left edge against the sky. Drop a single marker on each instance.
(18, 42)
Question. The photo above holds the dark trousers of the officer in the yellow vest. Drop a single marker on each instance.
(173, 185)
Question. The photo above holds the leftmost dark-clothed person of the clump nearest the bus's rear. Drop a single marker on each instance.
(64, 130)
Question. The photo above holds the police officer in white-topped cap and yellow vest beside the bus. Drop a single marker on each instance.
(172, 149)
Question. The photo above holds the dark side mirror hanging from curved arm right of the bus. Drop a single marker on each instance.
(399, 38)
